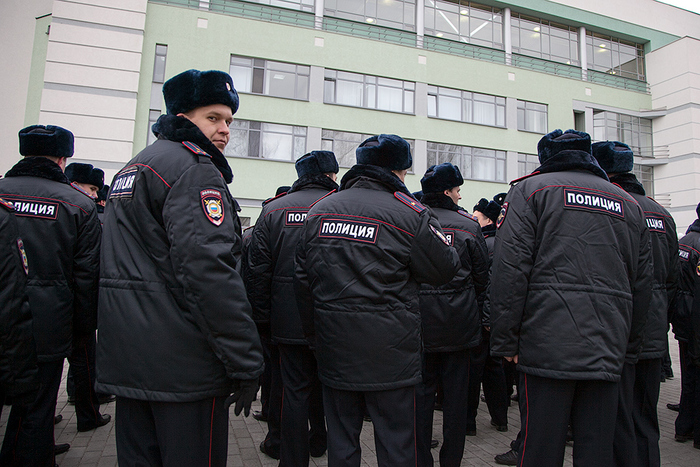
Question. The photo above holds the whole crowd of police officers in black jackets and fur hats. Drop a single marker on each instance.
(366, 299)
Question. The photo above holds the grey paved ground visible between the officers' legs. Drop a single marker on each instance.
(98, 448)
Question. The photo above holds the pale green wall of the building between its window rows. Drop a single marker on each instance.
(210, 48)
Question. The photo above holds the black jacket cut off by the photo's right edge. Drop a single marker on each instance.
(688, 256)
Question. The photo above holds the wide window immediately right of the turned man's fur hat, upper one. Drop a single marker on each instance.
(277, 79)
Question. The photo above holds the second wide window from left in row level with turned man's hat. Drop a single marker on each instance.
(371, 92)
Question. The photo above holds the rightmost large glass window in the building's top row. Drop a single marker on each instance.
(615, 56)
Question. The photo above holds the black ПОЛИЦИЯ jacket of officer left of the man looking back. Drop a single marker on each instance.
(61, 234)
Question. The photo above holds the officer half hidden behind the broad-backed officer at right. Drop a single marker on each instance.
(637, 428)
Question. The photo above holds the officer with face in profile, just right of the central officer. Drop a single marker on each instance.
(451, 319)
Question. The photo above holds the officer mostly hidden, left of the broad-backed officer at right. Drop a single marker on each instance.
(485, 368)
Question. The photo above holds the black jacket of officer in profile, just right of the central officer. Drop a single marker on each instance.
(451, 313)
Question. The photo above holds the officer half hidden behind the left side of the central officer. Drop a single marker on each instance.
(271, 289)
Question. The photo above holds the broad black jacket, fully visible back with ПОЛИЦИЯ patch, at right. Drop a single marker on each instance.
(573, 257)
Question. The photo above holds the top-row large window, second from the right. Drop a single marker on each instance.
(543, 39)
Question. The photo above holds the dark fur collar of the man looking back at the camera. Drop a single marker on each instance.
(179, 129)
